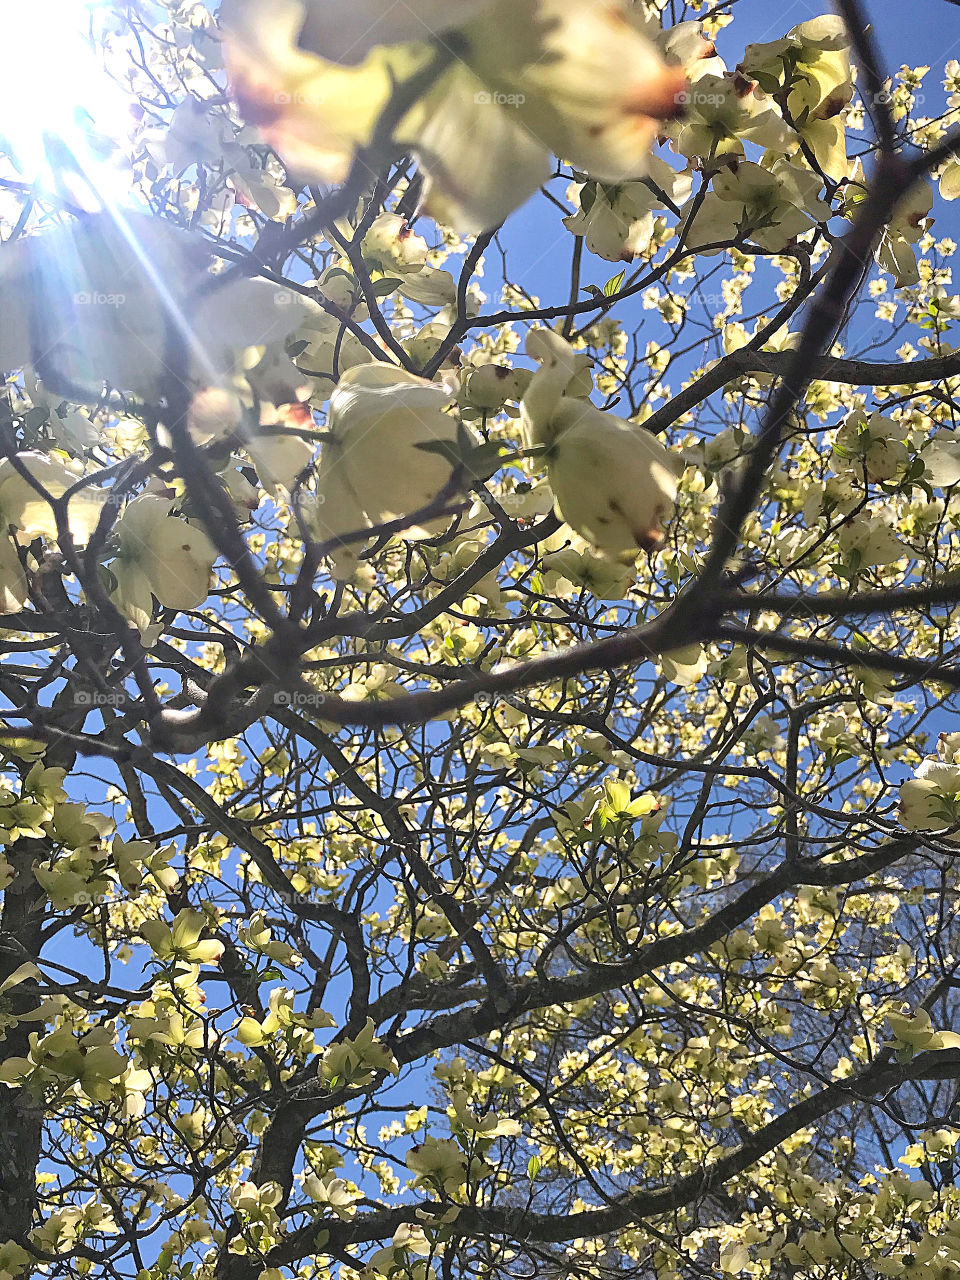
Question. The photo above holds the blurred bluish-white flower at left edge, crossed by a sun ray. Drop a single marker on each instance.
(94, 301)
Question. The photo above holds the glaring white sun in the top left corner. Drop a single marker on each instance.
(61, 111)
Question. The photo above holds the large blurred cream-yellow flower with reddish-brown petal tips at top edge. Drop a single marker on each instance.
(580, 79)
